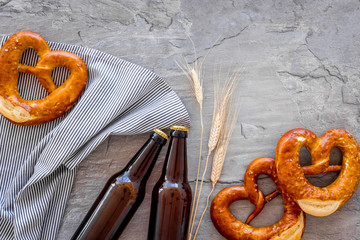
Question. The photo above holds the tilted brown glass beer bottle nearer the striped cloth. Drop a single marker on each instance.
(122, 194)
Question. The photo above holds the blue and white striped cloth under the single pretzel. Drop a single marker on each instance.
(38, 163)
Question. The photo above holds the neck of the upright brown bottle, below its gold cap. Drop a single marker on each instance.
(175, 167)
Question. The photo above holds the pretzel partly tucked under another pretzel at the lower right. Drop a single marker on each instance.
(291, 226)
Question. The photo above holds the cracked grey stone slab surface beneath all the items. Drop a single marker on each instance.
(299, 62)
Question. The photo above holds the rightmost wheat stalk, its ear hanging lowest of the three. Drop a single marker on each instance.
(223, 134)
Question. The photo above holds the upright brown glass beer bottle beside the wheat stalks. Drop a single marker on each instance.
(171, 196)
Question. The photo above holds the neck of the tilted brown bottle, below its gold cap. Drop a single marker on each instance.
(141, 165)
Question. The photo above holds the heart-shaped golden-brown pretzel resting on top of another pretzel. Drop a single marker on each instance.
(314, 200)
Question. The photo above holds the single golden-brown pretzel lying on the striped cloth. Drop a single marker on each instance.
(60, 99)
